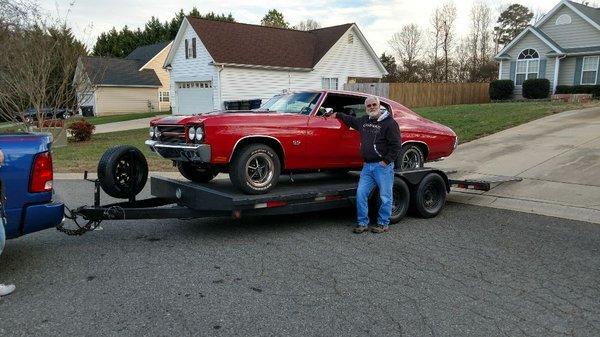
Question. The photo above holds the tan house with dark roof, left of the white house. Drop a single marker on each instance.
(137, 83)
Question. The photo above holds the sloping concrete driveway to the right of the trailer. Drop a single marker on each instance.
(558, 158)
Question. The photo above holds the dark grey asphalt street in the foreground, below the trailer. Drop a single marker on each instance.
(472, 271)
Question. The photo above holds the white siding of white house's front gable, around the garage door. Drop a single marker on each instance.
(198, 69)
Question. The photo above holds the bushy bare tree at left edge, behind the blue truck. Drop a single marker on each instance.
(37, 66)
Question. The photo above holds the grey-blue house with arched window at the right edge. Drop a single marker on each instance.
(564, 47)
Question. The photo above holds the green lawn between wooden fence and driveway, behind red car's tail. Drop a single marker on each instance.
(472, 121)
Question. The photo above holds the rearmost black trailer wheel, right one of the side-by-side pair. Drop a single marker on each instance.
(430, 196)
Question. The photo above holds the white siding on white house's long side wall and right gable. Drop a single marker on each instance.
(342, 61)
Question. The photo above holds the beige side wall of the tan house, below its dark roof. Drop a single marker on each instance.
(124, 100)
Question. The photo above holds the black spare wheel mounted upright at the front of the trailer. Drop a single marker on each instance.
(122, 171)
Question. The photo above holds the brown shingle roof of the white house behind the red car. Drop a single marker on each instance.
(239, 43)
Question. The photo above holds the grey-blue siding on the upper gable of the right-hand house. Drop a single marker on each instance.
(579, 33)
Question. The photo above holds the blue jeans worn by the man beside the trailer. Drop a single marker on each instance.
(375, 174)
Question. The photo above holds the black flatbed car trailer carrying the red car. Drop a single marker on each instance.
(423, 190)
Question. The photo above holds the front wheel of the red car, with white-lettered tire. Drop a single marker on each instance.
(255, 169)
